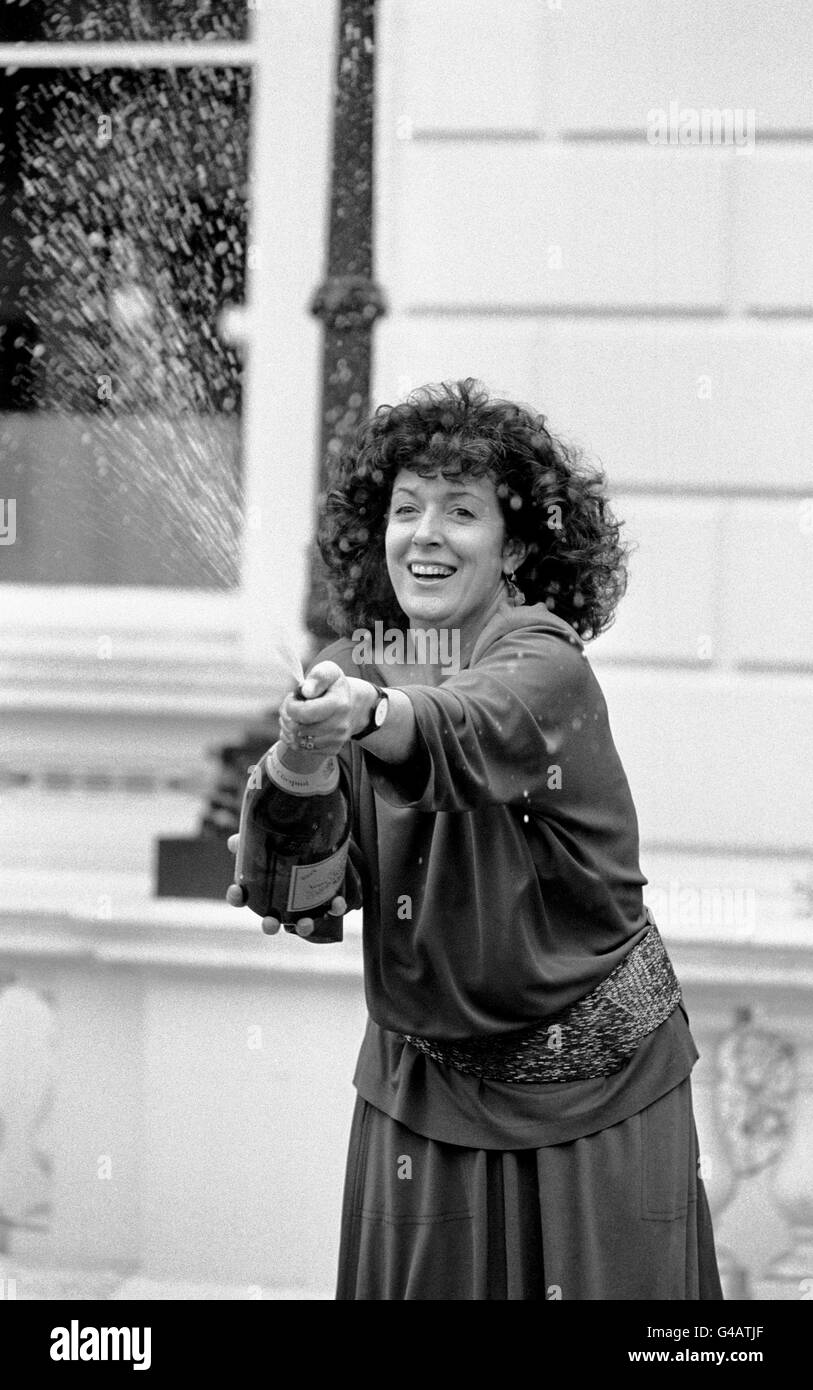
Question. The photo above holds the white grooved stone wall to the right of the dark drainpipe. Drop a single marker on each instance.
(657, 304)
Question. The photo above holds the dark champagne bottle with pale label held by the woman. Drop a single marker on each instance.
(294, 840)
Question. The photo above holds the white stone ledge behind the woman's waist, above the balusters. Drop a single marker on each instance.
(113, 919)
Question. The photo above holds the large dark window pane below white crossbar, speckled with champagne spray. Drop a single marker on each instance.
(123, 227)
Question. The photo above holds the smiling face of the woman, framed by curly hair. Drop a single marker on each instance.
(447, 550)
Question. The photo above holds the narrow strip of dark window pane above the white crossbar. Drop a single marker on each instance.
(108, 20)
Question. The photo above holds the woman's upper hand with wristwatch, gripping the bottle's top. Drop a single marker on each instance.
(331, 710)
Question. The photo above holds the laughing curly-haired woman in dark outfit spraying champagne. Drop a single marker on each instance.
(523, 1125)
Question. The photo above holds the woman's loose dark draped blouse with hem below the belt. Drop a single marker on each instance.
(500, 882)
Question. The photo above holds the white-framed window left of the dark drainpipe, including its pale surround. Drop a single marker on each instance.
(109, 568)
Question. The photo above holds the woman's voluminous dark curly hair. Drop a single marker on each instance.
(550, 497)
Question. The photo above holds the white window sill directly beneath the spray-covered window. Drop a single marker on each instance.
(155, 651)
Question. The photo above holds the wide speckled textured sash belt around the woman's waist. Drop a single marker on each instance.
(593, 1038)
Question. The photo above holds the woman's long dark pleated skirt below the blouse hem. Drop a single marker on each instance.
(616, 1216)
